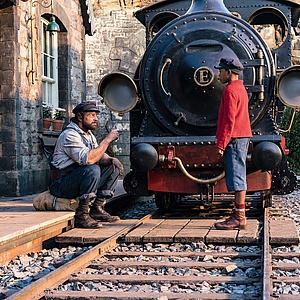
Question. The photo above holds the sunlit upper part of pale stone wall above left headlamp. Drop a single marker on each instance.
(118, 43)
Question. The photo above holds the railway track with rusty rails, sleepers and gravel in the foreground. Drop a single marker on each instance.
(115, 270)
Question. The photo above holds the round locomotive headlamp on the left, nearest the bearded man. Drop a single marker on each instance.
(119, 92)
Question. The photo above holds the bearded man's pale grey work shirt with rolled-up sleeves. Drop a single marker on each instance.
(73, 146)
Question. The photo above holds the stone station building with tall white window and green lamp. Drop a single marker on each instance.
(36, 66)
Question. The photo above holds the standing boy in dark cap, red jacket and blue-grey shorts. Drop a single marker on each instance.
(233, 136)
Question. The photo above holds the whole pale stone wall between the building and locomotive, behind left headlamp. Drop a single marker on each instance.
(118, 45)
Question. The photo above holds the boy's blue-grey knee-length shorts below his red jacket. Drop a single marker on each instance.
(235, 164)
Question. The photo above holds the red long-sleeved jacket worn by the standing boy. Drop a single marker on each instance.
(233, 118)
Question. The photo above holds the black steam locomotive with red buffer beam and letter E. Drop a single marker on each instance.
(174, 96)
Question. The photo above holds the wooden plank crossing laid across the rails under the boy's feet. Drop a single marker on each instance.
(181, 231)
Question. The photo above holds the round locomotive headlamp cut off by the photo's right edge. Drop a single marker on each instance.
(288, 87)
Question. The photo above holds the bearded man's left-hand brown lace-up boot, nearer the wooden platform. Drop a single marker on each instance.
(82, 217)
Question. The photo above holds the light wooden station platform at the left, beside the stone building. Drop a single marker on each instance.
(24, 230)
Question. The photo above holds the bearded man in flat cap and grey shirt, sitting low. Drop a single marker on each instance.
(86, 171)
